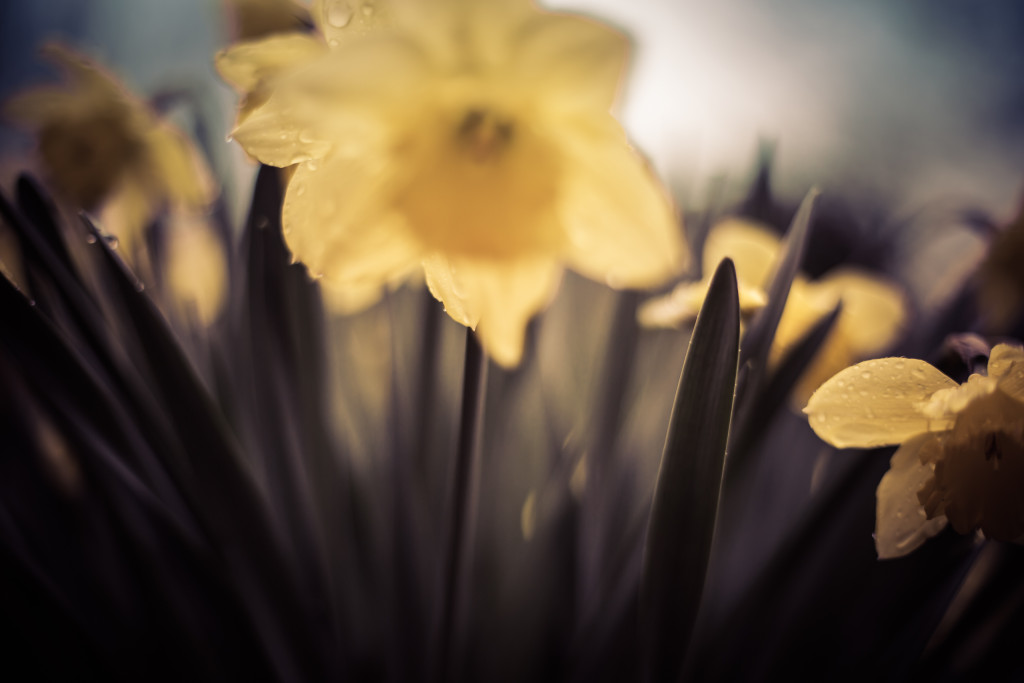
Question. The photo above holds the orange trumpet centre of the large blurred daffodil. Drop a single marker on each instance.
(484, 184)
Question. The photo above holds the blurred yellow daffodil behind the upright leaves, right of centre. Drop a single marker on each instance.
(871, 321)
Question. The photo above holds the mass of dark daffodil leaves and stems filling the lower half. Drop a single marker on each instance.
(181, 505)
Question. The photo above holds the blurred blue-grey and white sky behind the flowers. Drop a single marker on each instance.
(915, 102)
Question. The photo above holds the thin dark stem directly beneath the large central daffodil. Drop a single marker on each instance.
(462, 518)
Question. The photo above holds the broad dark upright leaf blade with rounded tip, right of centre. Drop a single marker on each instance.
(687, 497)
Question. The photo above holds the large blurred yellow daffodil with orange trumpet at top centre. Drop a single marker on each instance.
(471, 141)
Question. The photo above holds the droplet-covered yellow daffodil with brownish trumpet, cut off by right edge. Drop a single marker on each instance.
(962, 457)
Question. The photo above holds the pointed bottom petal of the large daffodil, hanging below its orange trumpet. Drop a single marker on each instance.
(501, 296)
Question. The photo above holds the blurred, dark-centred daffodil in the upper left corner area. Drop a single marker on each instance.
(104, 151)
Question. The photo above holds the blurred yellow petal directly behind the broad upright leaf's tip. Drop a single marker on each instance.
(752, 246)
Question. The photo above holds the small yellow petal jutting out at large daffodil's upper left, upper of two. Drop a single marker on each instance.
(247, 65)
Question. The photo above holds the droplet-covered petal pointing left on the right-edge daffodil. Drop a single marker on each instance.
(876, 403)
